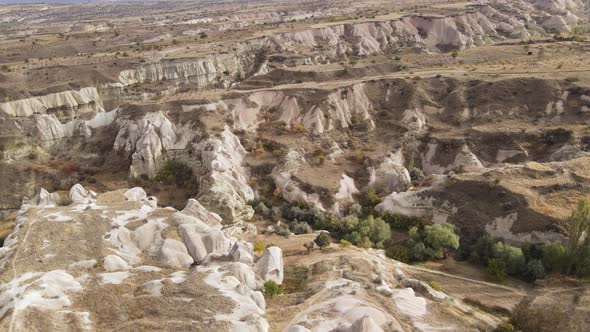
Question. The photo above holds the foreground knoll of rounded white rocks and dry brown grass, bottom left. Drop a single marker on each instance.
(124, 244)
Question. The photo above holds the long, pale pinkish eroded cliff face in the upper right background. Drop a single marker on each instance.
(482, 24)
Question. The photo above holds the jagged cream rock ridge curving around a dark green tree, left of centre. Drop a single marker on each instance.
(217, 161)
